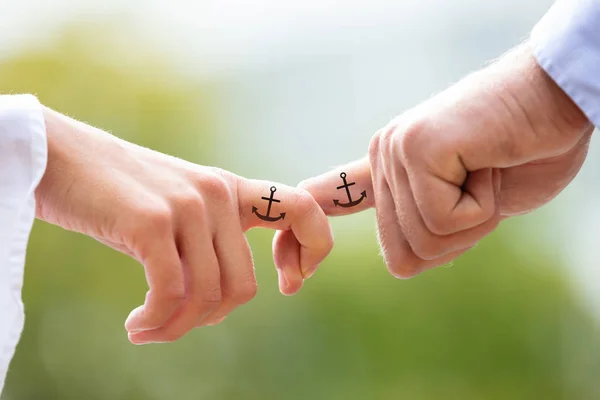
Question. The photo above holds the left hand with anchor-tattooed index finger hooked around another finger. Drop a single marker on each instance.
(185, 223)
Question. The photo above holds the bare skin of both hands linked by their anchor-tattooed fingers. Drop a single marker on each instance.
(502, 142)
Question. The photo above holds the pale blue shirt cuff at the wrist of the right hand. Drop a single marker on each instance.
(566, 43)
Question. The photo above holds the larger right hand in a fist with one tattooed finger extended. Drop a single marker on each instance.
(502, 142)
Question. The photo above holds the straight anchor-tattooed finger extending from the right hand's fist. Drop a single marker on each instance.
(344, 190)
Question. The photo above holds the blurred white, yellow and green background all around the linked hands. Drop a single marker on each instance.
(283, 90)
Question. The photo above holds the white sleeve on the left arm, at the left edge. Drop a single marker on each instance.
(23, 155)
